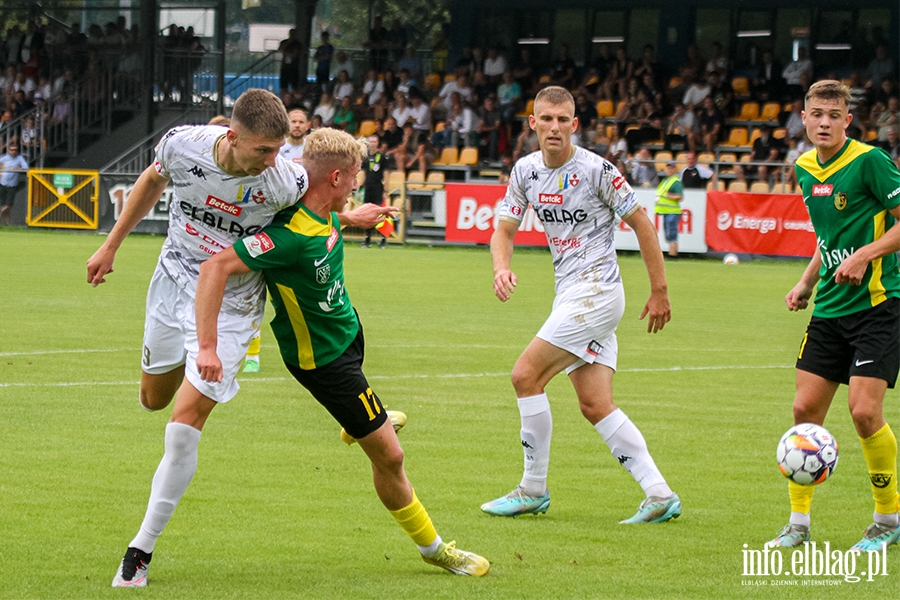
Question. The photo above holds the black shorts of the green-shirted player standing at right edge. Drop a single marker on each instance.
(865, 344)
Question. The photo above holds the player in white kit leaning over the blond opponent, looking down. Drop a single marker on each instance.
(229, 183)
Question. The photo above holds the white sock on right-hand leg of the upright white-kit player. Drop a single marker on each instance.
(629, 448)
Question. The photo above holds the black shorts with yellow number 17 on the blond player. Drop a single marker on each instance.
(342, 388)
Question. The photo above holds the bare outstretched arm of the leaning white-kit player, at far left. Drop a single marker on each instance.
(147, 191)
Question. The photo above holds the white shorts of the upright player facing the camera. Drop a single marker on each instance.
(584, 321)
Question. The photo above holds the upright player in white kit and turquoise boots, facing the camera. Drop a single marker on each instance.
(577, 195)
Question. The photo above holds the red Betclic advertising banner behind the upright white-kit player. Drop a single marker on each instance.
(473, 211)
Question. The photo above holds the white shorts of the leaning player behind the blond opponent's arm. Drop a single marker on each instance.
(170, 338)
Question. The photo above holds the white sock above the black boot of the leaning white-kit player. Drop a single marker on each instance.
(172, 477)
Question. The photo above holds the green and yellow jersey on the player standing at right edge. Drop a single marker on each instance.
(848, 199)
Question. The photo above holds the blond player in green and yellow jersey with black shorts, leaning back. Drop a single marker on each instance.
(319, 333)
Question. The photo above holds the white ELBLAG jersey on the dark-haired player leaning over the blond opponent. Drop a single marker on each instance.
(210, 209)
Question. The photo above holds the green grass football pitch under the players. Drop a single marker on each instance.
(281, 508)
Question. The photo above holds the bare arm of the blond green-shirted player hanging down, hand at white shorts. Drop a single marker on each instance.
(214, 274)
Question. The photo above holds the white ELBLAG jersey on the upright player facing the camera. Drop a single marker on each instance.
(577, 204)
